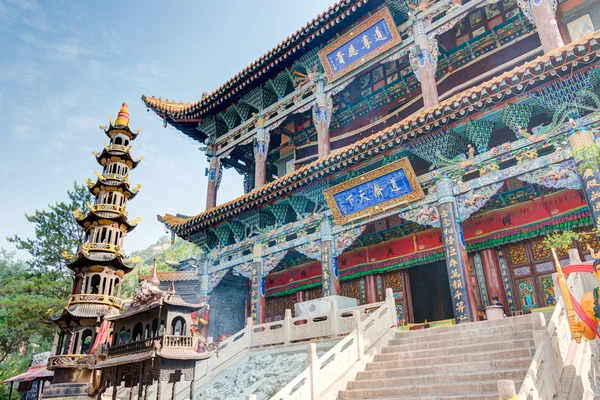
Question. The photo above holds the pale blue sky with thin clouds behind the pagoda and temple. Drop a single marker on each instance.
(67, 66)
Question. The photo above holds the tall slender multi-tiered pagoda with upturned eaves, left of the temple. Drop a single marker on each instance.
(99, 268)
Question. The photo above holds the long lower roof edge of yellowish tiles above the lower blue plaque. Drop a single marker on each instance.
(326, 165)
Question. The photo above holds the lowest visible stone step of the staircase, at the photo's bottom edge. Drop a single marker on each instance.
(432, 388)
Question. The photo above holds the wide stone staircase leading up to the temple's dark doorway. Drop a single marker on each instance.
(453, 362)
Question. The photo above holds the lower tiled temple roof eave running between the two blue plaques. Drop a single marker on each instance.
(457, 107)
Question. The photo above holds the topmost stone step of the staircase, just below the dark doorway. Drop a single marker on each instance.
(436, 334)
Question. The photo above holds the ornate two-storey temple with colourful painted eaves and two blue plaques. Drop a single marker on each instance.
(420, 146)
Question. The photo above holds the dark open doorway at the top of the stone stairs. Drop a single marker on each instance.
(430, 292)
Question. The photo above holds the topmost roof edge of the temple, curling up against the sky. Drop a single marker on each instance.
(317, 26)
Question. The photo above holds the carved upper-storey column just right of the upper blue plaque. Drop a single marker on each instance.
(423, 59)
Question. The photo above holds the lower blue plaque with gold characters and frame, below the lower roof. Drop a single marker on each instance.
(374, 192)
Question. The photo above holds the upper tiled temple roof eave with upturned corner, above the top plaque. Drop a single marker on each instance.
(342, 10)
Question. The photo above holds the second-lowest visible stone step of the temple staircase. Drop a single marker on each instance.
(515, 374)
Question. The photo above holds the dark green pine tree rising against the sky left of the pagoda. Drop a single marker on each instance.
(55, 232)
